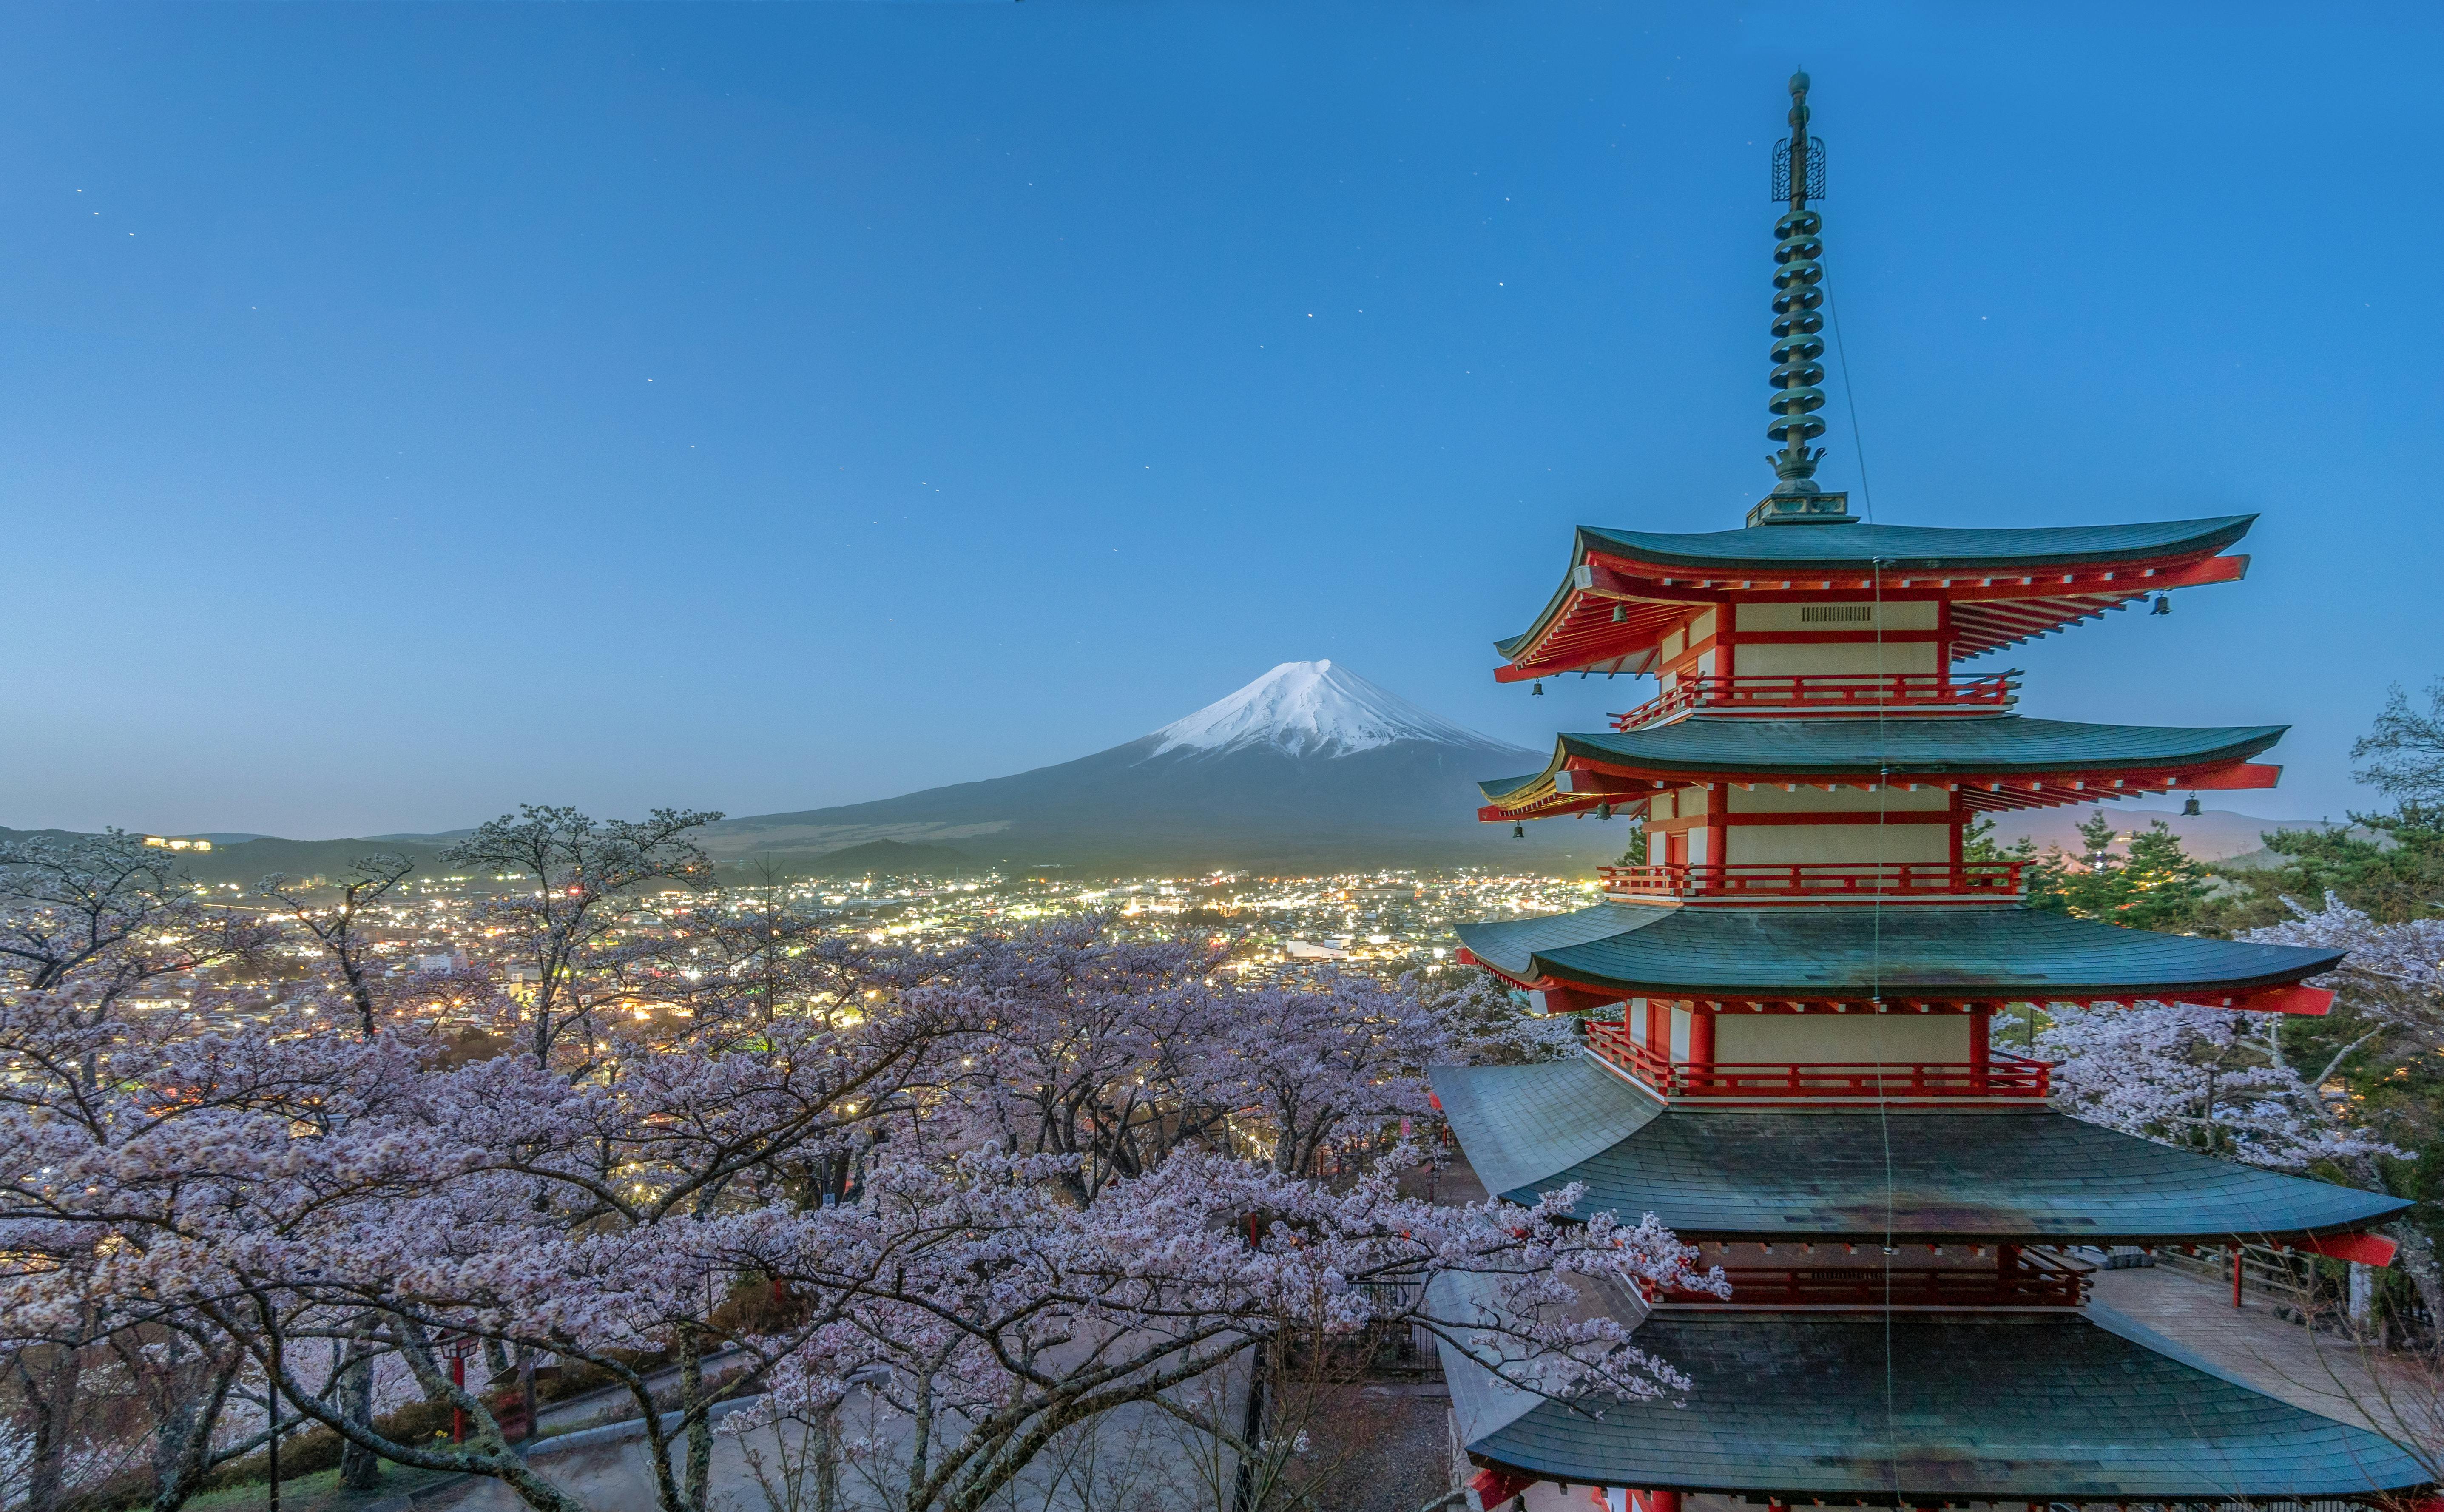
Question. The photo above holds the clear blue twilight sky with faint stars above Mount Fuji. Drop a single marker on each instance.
(414, 412)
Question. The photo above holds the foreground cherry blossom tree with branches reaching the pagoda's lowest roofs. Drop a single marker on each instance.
(989, 1315)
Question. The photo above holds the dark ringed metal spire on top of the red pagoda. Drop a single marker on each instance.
(1800, 175)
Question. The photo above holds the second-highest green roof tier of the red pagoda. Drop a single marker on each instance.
(1908, 749)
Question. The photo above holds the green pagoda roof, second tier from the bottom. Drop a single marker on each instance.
(1905, 1179)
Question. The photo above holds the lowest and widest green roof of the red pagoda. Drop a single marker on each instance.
(1930, 1411)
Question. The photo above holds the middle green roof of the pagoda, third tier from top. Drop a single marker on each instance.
(1895, 954)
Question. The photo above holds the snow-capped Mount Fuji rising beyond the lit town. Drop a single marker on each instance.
(1309, 768)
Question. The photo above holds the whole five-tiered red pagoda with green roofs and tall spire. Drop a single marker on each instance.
(1802, 1071)
